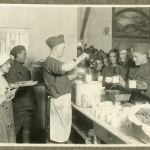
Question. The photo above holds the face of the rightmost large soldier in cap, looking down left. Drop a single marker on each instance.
(138, 58)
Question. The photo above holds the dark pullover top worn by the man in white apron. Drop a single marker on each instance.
(56, 81)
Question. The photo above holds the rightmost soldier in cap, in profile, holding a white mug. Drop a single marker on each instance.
(140, 73)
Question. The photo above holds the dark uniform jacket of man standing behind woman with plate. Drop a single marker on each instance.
(24, 98)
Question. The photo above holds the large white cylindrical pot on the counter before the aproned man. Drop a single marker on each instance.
(88, 93)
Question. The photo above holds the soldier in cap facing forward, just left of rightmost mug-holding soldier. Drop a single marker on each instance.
(125, 63)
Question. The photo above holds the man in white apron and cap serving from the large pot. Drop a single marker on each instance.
(58, 88)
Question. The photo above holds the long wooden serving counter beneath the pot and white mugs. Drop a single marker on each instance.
(110, 135)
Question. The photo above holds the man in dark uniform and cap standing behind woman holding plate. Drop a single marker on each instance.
(24, 101)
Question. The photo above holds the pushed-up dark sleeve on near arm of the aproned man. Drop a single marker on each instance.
(55, 67)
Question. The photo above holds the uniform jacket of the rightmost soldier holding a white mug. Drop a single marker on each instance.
(141, 73)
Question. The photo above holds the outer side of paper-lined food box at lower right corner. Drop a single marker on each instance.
(140, 134)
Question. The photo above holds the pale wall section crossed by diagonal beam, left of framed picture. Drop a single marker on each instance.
(99, 18)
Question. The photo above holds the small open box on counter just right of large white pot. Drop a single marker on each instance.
(116, 95)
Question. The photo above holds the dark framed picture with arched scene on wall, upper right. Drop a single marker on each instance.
(131, 22)
